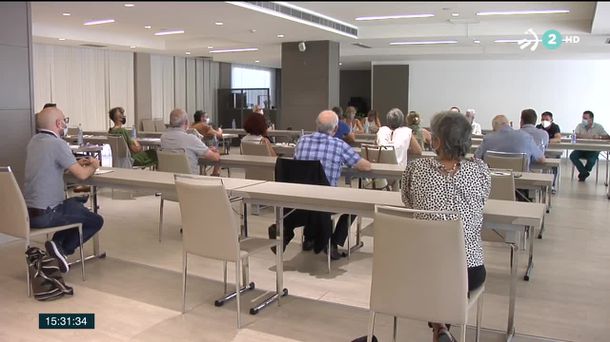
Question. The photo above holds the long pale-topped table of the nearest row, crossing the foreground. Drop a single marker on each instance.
(508, 216)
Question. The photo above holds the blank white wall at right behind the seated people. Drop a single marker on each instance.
(564, 87)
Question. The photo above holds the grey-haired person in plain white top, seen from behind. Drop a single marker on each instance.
(399, 136)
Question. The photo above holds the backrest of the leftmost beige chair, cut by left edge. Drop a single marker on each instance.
(13, 210)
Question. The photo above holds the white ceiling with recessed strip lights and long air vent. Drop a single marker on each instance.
(198, 19)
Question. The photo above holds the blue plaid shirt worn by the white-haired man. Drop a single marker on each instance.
(332, 152)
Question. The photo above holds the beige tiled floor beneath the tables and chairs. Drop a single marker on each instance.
(136, 291)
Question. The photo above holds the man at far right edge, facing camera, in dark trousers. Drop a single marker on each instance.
(587, 129)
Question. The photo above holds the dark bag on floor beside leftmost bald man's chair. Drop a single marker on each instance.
(45, 277)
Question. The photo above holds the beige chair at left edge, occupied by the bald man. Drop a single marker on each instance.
(16, 221)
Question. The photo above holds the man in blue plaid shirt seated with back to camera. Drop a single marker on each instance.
(332, 153)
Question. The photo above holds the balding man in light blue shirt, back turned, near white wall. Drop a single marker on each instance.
(505, 139)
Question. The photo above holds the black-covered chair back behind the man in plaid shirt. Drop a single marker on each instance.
(300, 171)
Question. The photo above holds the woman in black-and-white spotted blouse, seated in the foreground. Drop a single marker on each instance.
(451, 183)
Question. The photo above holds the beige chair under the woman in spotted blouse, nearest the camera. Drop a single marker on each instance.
(420, 271)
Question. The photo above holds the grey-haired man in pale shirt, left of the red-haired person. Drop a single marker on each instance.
(175, 138)
